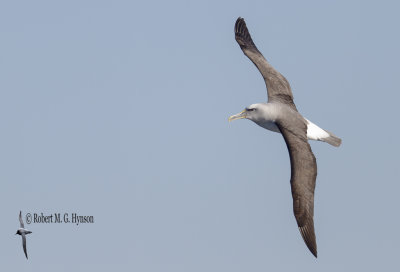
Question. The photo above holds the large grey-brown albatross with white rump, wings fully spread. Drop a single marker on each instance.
(280, 115)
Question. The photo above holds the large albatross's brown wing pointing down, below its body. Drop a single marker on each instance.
(304, 174)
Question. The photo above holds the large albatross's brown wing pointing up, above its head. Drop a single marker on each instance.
(277, 85)
